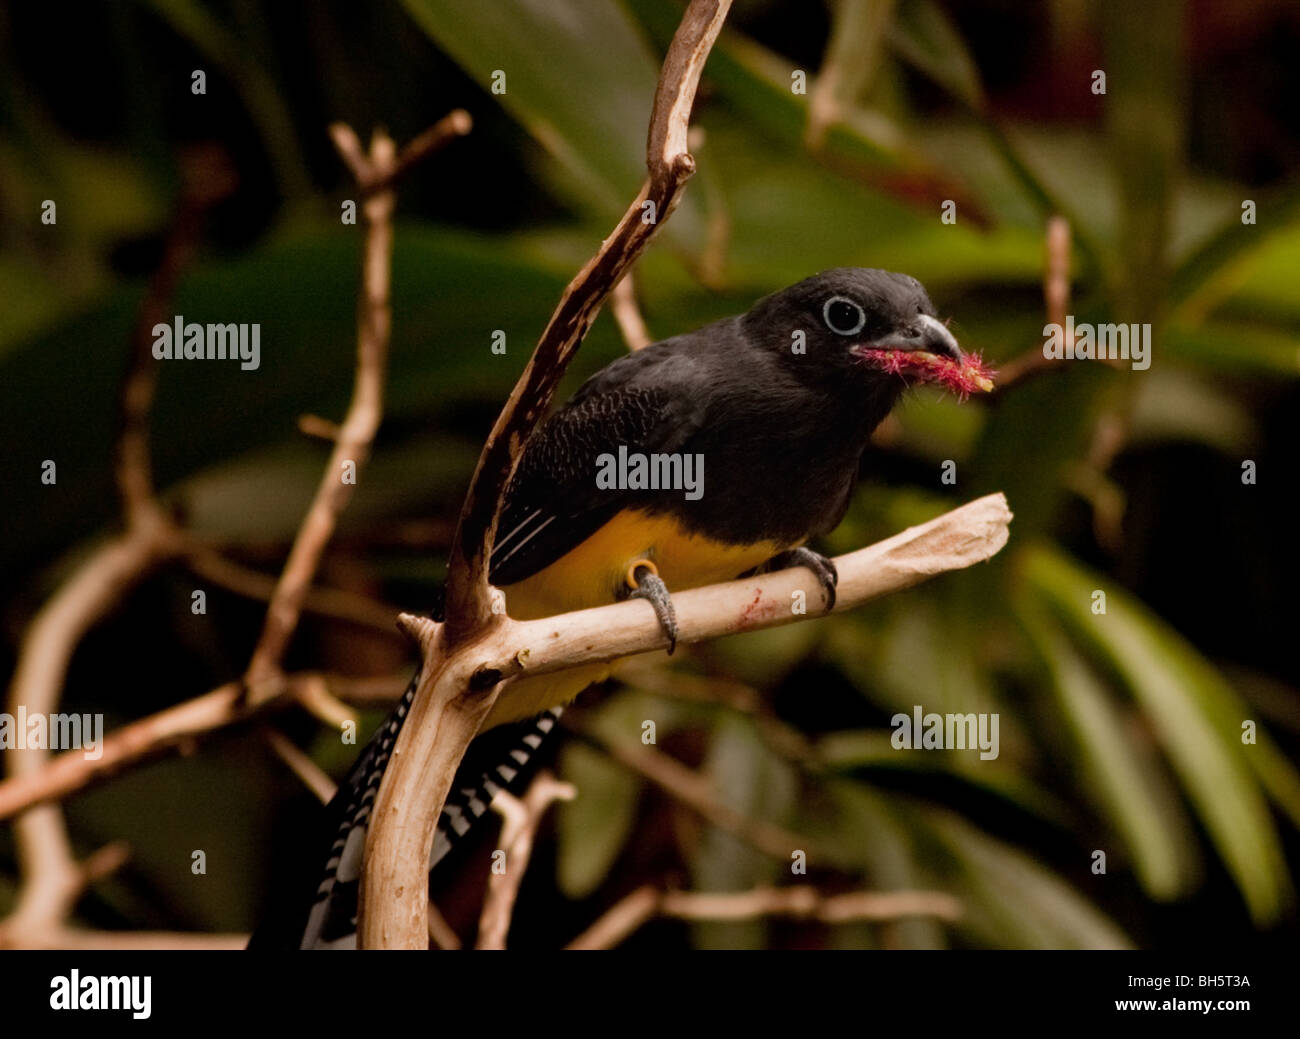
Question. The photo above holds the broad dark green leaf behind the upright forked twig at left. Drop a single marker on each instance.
(450, 292)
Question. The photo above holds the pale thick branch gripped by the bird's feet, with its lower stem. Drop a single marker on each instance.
(450, 700)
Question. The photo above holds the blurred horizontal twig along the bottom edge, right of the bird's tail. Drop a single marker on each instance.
(800, 903)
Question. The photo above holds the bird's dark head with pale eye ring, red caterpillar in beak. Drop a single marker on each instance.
(860, 324)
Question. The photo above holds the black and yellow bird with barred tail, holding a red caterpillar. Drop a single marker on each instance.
(694, 461)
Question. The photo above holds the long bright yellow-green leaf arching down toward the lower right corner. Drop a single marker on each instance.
(1195, 716)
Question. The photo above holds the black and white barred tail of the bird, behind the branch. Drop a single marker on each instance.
(495, 763)
